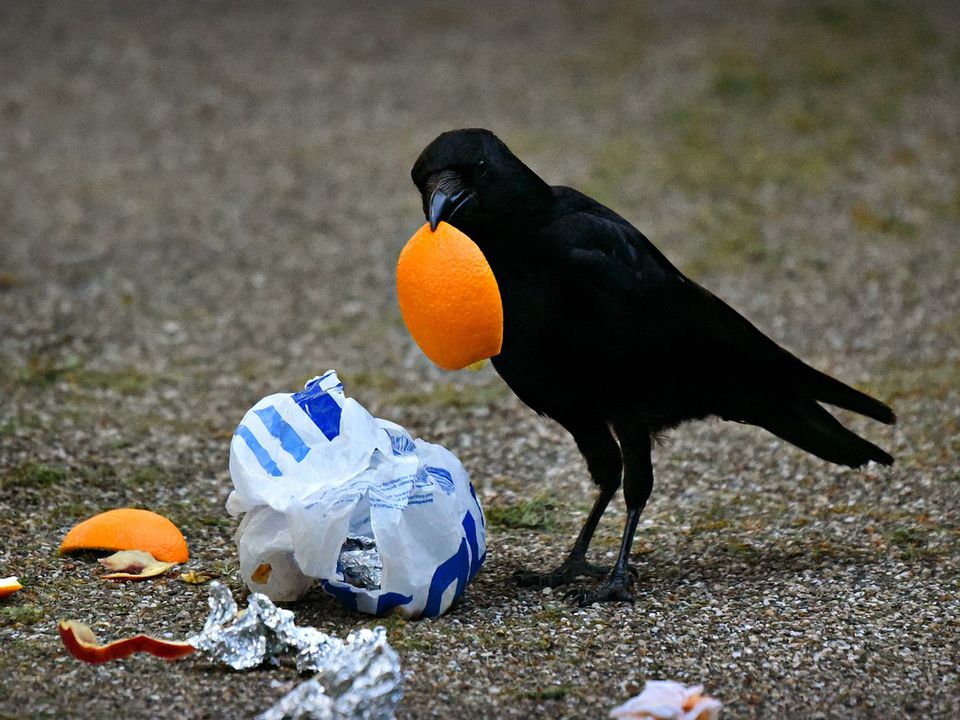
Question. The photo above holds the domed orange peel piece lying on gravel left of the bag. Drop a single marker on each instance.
(129, 529)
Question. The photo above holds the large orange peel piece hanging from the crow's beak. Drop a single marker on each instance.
(449, 297)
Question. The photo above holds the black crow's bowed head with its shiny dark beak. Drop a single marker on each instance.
(471, 180)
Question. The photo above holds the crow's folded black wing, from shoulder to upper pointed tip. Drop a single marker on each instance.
(646, 309)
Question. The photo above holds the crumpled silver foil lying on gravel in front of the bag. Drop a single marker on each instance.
(357, 678)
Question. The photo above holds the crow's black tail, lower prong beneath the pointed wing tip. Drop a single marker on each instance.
(811, 428)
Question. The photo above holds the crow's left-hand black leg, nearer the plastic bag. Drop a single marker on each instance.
(603, 461)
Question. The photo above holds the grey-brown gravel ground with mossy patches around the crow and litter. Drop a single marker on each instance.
(202, 204)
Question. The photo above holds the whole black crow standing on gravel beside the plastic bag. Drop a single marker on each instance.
(586, 295)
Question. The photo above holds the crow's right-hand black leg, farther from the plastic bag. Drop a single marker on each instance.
(637, 485)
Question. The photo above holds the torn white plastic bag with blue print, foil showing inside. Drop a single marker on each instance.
(320, 482)
